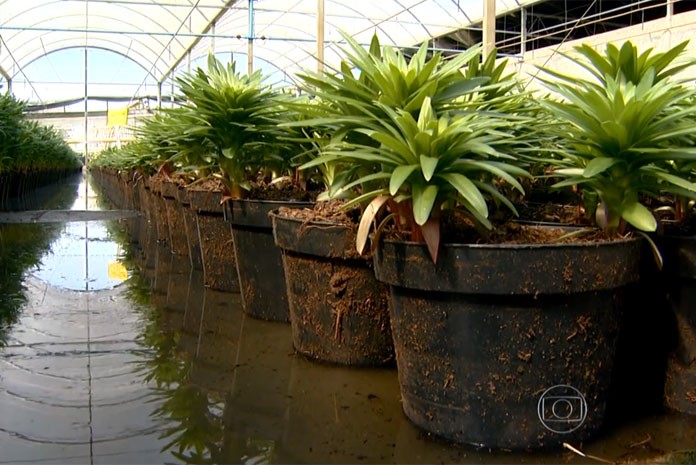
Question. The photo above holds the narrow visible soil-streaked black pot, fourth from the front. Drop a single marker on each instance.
(215, 240)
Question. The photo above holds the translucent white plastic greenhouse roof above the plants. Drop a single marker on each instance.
(160, 34)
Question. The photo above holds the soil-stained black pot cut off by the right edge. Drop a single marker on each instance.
(680, 270)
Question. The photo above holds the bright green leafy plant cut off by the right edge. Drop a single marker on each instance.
(624, 132)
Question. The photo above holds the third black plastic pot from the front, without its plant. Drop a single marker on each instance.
(259, 262)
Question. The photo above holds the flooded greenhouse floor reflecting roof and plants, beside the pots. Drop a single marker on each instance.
(113, 354)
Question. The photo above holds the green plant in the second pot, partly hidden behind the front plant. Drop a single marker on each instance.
(367, 82)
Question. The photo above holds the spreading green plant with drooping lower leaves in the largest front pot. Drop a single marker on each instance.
(430, 164)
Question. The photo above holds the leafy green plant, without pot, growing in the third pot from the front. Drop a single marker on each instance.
(239, 116)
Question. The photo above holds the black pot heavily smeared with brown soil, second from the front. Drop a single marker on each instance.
(339, 312)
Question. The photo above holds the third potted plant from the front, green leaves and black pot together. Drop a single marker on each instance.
(240, 116)
